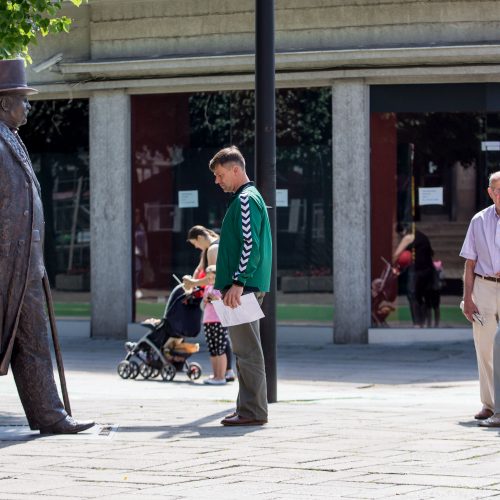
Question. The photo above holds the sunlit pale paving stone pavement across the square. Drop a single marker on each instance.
(357, 422)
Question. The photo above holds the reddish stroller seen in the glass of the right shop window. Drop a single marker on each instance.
(384, 294)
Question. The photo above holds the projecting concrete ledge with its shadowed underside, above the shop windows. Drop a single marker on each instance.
(300, 68)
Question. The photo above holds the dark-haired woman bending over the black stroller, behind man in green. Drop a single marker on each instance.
(207, 241)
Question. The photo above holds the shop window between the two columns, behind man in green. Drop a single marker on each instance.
(173, 138)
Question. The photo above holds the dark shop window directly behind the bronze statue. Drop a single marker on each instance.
(57, 138)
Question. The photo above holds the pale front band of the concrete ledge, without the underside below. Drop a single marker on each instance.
(288, 61)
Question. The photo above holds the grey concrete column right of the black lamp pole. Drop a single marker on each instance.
(351, 211)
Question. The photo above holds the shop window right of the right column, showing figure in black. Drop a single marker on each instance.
(429, 176)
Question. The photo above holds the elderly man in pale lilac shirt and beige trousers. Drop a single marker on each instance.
(481, 304)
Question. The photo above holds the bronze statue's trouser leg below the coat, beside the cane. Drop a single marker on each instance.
(31, 362)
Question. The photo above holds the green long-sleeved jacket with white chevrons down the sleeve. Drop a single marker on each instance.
(245, 249)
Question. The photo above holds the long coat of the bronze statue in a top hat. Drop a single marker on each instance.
(17, 180)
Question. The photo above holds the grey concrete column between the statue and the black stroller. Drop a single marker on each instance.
(110, 214)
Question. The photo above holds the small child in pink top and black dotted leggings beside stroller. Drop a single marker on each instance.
(216, 335)
